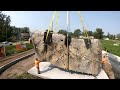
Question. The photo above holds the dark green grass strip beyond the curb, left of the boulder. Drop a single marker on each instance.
(10, 50)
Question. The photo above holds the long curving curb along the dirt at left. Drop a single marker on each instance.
(6, 66)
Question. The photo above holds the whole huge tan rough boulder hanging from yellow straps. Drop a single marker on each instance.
(80, 58)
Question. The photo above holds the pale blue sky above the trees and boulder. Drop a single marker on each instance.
(109, 21)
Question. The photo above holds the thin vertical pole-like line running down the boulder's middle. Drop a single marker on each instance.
(68, 25)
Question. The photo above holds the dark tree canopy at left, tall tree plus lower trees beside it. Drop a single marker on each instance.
(7, 32)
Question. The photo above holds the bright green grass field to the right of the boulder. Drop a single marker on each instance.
(111, 48)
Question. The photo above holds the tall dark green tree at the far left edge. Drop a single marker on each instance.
(5, 31)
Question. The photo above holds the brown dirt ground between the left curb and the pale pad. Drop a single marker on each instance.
(19, 68)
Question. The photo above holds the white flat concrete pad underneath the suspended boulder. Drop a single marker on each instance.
(48, 71)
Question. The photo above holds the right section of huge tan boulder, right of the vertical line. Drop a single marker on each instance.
(83, 59)
